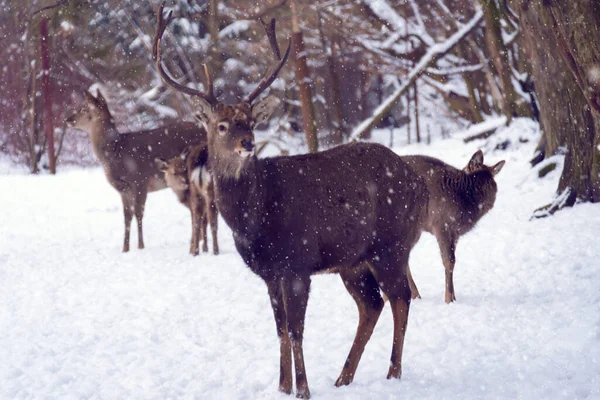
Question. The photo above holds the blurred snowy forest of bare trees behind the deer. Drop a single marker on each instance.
(349, 57)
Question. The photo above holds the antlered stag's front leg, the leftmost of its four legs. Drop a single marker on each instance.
(285, 346)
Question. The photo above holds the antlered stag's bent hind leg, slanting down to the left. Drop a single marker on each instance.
(363, 288)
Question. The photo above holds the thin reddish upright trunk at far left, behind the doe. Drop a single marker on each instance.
(47, 95)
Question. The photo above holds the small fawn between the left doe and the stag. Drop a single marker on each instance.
(190, 179)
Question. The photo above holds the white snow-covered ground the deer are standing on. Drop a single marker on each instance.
(78, 319)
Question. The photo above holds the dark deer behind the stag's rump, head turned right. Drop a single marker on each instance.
(457, 200)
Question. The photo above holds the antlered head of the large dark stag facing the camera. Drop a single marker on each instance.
(230, 128)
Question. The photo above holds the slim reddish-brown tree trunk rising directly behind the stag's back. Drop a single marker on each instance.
(302, 80)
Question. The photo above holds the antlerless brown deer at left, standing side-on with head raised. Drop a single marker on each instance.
(128, 158)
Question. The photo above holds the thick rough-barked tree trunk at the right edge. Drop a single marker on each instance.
(561, 39)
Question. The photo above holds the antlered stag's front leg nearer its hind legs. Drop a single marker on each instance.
(295, 294)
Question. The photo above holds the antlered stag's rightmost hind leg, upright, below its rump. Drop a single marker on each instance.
(390, 270)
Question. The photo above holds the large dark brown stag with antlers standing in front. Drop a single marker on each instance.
(356, 210)
